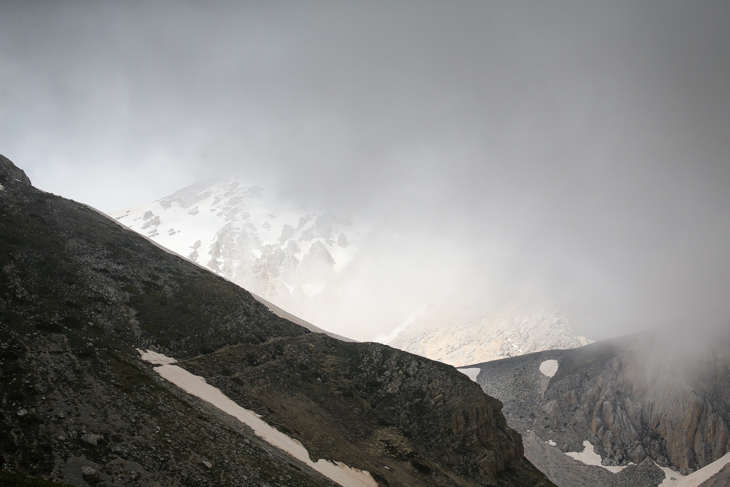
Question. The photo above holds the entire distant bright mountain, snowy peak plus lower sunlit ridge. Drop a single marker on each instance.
(317, 265)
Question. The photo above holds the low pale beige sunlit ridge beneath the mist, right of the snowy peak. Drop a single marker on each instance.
(480, 335)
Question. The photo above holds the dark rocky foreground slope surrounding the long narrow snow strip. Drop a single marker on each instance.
(80, 294)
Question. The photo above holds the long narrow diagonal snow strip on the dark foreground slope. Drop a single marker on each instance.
(196, 385)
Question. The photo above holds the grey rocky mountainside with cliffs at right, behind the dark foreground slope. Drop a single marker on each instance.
(633, 399)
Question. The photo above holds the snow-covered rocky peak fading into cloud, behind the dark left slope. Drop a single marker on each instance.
(248, 234)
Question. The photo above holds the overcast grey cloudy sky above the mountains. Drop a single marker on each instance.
(577, 148)
